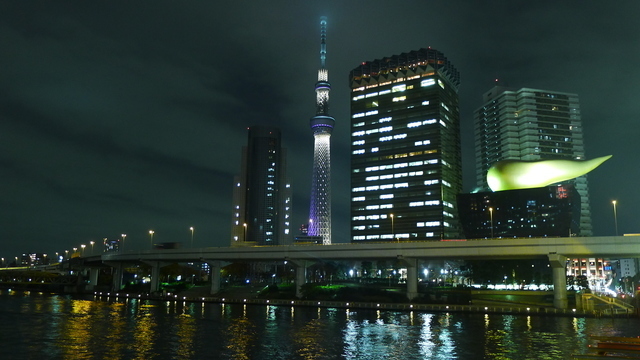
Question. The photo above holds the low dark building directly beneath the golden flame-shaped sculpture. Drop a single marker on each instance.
(552, 211)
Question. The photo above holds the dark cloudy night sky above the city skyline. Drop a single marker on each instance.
(124, 116)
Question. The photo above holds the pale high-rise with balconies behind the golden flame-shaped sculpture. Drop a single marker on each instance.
(531, 124)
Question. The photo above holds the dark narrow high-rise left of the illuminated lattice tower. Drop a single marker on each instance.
(262, 194)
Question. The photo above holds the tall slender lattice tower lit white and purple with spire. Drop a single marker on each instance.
(322, 126)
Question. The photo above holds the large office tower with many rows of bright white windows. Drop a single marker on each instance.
(405, 148)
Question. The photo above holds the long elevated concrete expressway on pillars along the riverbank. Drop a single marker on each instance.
(556, 250)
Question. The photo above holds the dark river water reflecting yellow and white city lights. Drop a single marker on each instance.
(42, 326)
